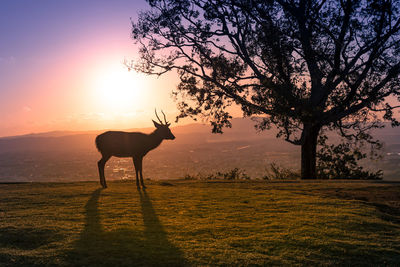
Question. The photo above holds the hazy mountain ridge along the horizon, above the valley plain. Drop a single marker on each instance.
(243, 130)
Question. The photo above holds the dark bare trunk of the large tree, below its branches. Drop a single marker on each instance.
(309, 151)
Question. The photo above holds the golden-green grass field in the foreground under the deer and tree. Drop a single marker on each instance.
(200, 223)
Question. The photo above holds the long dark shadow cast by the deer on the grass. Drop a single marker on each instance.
(124, 246)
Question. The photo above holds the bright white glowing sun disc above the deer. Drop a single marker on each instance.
(119, 90)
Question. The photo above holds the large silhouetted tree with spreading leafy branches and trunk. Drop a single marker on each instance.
(302, 65)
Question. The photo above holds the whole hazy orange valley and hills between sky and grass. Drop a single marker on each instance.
(71, 155)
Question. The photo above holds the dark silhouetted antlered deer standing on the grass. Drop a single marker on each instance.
(131, 144)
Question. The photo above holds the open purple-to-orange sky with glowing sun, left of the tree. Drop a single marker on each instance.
(61, 68)
